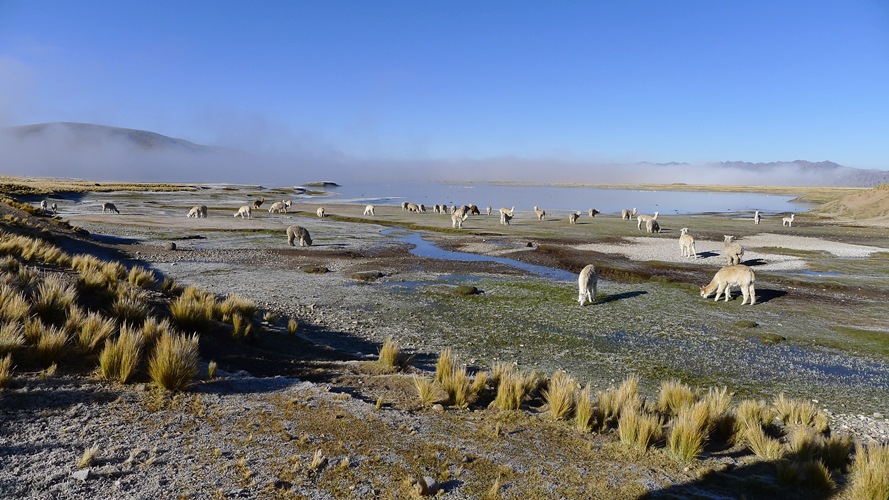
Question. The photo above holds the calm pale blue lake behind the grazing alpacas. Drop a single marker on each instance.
(563, 199)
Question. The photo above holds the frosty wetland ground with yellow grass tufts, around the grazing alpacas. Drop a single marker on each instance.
(344, 397)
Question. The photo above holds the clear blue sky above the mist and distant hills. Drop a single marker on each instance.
(599, 81)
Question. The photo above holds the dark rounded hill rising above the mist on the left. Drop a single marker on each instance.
(79, 135)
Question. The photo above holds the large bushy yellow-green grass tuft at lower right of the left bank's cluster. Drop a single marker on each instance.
(174, 362)
